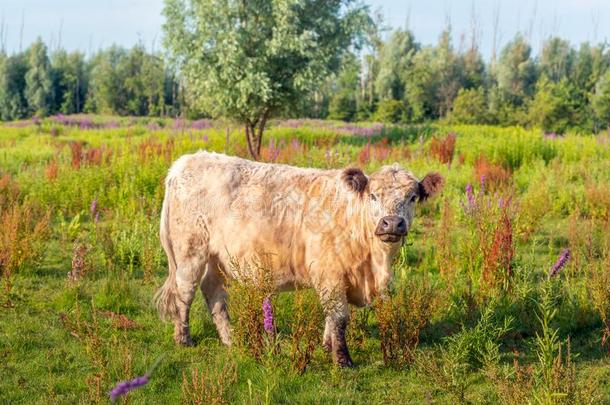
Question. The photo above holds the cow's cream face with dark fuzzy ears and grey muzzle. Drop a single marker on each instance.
(392, 193)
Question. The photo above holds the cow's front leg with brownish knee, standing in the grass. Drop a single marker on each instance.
(337, 316)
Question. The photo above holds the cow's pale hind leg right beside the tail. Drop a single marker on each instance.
(188, 277)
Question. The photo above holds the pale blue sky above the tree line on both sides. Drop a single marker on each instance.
(88, 25)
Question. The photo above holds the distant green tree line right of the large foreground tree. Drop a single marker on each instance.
(403, 81)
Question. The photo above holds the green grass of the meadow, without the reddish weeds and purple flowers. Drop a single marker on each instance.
(58, 346)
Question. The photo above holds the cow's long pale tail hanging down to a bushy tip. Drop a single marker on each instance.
(165, 298)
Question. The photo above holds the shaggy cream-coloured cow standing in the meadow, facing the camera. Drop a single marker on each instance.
(336, 231)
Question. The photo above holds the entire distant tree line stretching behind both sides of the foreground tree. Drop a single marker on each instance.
(396, 80)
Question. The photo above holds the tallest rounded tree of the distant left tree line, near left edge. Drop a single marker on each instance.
(38, 81)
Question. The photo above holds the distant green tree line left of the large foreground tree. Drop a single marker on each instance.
(115, 80)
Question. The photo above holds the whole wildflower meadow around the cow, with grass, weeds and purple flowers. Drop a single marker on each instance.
(501, 293)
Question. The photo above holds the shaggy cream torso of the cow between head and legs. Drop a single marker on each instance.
(245, 211)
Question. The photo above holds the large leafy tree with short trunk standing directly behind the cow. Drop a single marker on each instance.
(248, 60)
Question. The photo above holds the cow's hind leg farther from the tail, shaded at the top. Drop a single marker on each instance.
(215, 294)
